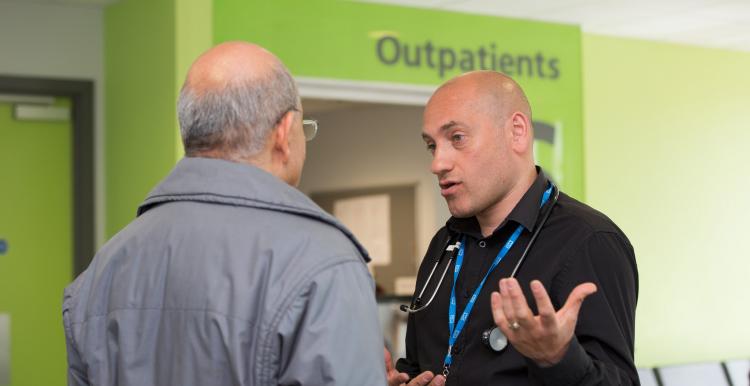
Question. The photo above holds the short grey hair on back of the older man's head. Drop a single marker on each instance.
(235, 120)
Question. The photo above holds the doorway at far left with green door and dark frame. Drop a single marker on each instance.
(46, 221)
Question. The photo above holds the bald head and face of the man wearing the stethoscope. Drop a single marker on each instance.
(478, 129)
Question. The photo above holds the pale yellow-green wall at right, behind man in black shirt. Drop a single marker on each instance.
(667, 130)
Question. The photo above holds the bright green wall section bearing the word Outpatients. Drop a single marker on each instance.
(340, 39)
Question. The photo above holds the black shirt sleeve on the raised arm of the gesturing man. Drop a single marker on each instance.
(601, 352)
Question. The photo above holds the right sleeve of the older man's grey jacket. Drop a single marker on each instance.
(331, 333)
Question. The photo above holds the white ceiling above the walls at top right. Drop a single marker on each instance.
(709, 23)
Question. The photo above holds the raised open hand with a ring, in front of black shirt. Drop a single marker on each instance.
(543, 338)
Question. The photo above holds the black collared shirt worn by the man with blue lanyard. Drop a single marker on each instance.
(576, 245)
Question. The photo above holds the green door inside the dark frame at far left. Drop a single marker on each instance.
(36, 220)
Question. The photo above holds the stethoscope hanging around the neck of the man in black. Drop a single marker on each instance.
(492, 337)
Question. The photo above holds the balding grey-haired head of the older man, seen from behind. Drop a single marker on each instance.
(233, 96)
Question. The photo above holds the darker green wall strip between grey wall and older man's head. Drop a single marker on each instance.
(140, 94)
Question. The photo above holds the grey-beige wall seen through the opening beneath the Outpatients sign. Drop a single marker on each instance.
(371, 146)
